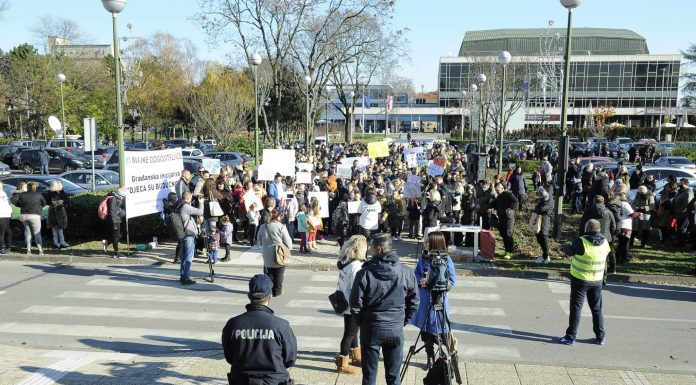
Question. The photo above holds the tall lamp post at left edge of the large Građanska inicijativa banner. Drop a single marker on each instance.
(116, 6)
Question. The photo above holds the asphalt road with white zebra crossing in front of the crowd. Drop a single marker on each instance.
(143, 309)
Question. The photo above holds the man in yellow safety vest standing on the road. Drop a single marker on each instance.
(589, 253)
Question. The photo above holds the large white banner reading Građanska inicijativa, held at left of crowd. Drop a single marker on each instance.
(150, 176)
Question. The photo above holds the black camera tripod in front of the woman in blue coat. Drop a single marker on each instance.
(445, 349)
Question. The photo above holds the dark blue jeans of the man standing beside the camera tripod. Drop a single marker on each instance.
(391, 341)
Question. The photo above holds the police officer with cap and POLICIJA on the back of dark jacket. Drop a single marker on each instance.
(259, 346)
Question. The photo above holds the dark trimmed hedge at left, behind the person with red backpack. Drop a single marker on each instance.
(83, 222)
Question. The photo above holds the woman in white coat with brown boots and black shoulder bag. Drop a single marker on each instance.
(351, 258)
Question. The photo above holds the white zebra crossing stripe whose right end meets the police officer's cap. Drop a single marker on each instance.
(156, 298)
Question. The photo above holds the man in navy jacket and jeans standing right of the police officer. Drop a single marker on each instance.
(383, 300)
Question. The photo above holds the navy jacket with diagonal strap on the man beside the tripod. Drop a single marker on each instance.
(384, 294)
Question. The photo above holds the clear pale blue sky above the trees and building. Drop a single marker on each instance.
(436, 26)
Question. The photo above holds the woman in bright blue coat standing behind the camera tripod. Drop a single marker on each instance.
(433, 267)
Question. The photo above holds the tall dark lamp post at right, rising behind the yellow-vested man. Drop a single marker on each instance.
(563, 161)
